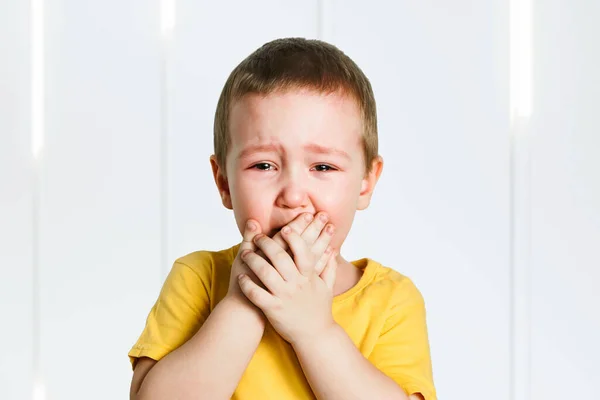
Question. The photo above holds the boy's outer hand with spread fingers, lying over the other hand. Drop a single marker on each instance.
(298, 300)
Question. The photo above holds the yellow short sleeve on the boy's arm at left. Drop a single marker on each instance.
(182, 307)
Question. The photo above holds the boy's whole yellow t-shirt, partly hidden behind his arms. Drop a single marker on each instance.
(383, 314)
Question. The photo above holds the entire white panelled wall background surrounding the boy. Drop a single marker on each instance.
(497, 220)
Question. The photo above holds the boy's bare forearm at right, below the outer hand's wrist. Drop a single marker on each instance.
(336, 369)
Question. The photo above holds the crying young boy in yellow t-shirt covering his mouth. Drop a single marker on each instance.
(283, 315)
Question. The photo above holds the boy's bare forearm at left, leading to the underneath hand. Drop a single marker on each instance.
(210, 364)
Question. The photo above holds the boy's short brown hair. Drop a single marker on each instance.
(297, 63)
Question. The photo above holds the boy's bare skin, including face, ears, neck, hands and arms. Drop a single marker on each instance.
(292, 154)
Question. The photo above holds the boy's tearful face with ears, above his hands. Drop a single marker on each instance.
(296, 152)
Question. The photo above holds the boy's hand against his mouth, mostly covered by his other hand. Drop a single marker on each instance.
(304, 224)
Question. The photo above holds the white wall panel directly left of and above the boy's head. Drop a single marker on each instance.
(209, 41)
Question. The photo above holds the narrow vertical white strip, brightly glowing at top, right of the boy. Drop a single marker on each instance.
(520, 60)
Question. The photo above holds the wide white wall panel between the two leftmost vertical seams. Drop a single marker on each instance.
(100, 196)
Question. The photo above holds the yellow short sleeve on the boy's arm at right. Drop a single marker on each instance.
(402, 350)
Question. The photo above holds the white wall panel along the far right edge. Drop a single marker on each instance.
(566, 201)
